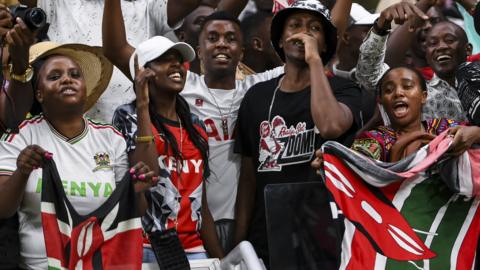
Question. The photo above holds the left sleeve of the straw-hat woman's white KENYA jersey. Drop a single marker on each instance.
(10, 147)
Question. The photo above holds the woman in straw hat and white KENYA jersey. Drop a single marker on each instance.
(91, 157)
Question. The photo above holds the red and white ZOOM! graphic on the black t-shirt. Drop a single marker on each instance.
(281, 145)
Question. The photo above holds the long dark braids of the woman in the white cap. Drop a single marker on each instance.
(183, 111)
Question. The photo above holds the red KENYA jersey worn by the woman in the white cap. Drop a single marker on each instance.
(176, 201)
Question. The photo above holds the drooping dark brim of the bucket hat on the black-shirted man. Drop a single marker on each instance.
(278, 23)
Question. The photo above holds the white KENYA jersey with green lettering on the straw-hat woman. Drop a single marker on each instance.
(87, 181)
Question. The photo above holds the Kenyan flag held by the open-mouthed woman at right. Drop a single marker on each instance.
(419, 213)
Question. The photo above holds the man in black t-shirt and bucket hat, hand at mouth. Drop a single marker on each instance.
(282, 121)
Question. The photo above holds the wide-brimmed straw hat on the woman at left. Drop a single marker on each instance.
(96, 68)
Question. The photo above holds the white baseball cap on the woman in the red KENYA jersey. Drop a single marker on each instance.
(156, 46)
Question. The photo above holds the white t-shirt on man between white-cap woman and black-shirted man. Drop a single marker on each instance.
(224, 164)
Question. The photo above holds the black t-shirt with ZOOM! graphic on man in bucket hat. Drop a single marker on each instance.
(283, 146)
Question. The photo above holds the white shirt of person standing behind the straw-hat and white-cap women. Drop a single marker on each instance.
(80, 21)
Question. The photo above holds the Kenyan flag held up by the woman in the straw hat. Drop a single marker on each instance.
(108, 238)
